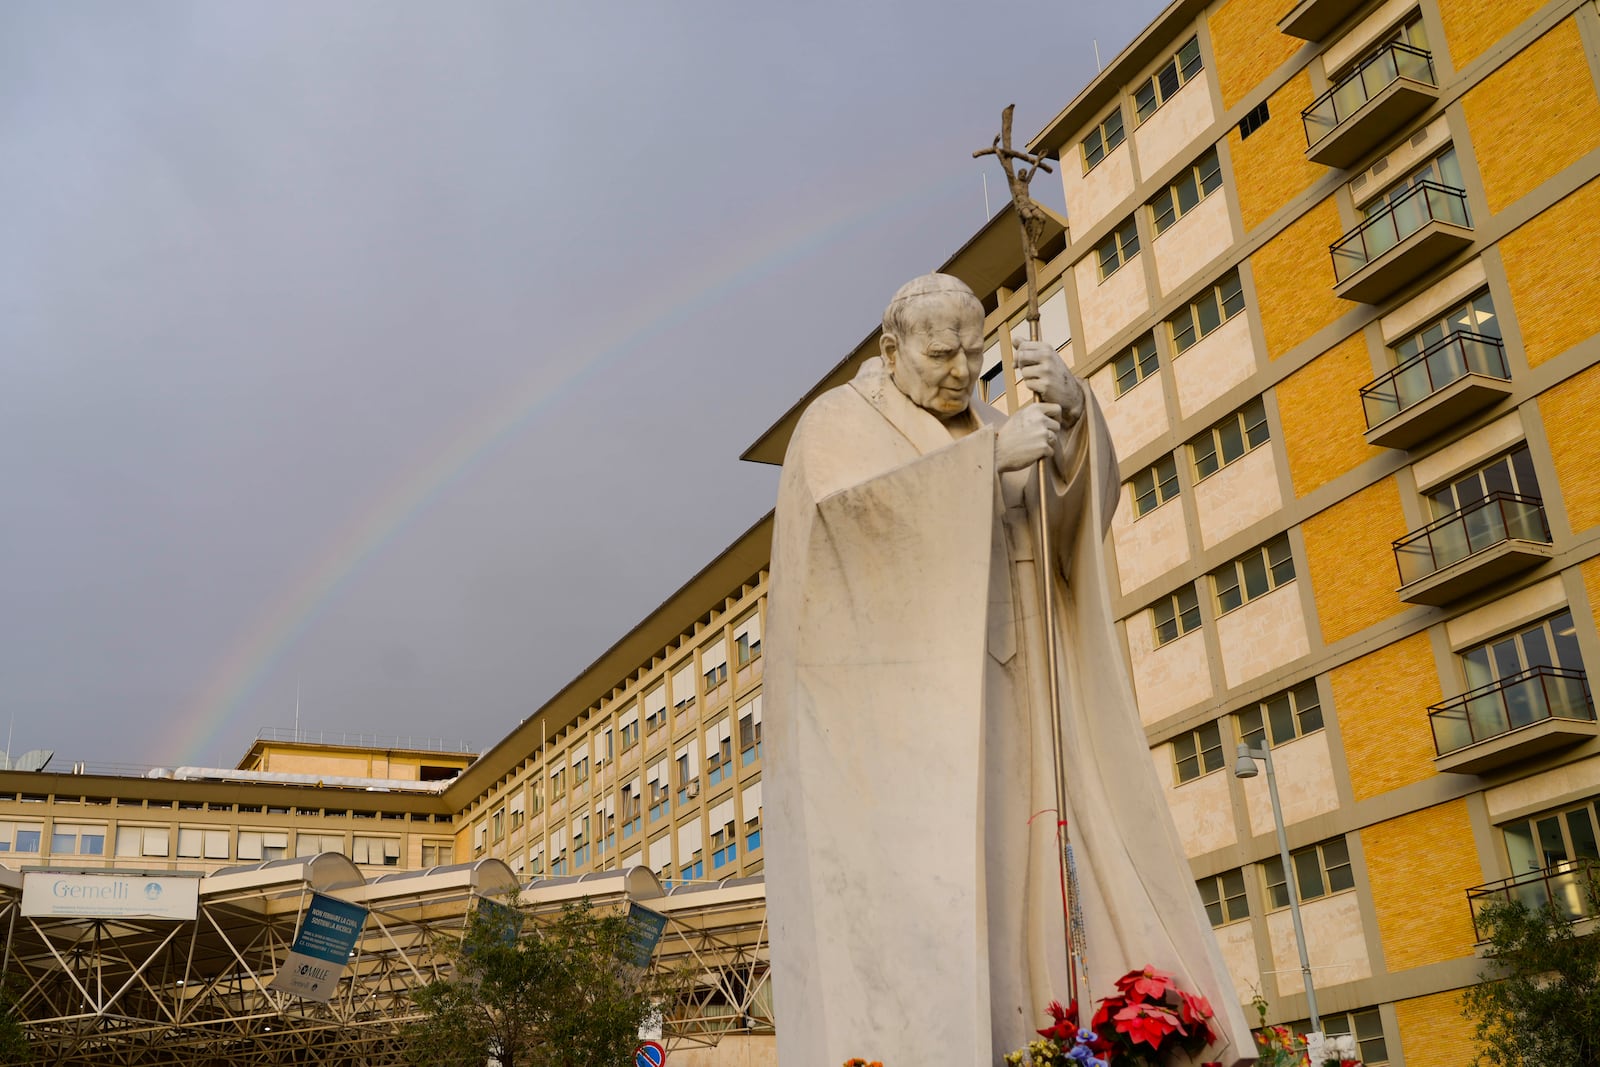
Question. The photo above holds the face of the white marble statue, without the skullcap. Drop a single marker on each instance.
(937, 362)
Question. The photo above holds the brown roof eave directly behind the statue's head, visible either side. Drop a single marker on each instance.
(990, 260)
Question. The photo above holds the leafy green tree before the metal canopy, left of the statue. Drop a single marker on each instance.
(561, 994)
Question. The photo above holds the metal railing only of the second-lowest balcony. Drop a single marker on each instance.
(1510, 705)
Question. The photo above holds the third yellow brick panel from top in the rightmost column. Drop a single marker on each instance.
(1558, 295)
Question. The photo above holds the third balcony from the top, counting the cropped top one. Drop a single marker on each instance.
(1418, 231)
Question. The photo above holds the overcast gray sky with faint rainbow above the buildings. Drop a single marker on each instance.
(345, 346)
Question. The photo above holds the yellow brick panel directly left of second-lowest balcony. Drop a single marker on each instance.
(1382, 700)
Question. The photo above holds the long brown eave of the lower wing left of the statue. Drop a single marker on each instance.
(738, 564)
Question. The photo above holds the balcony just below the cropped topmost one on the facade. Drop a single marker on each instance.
(1390, 89)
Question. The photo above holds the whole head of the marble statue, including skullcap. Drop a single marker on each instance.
(934, 343)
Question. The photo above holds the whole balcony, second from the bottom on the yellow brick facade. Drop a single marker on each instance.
(1513, 719)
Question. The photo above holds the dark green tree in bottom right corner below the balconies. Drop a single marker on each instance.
(1540, 1002)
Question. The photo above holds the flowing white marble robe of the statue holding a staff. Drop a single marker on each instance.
(913, 885)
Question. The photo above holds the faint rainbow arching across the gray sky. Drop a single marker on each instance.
(255, 653)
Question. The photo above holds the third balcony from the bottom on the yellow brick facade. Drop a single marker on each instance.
(1486, 541)
